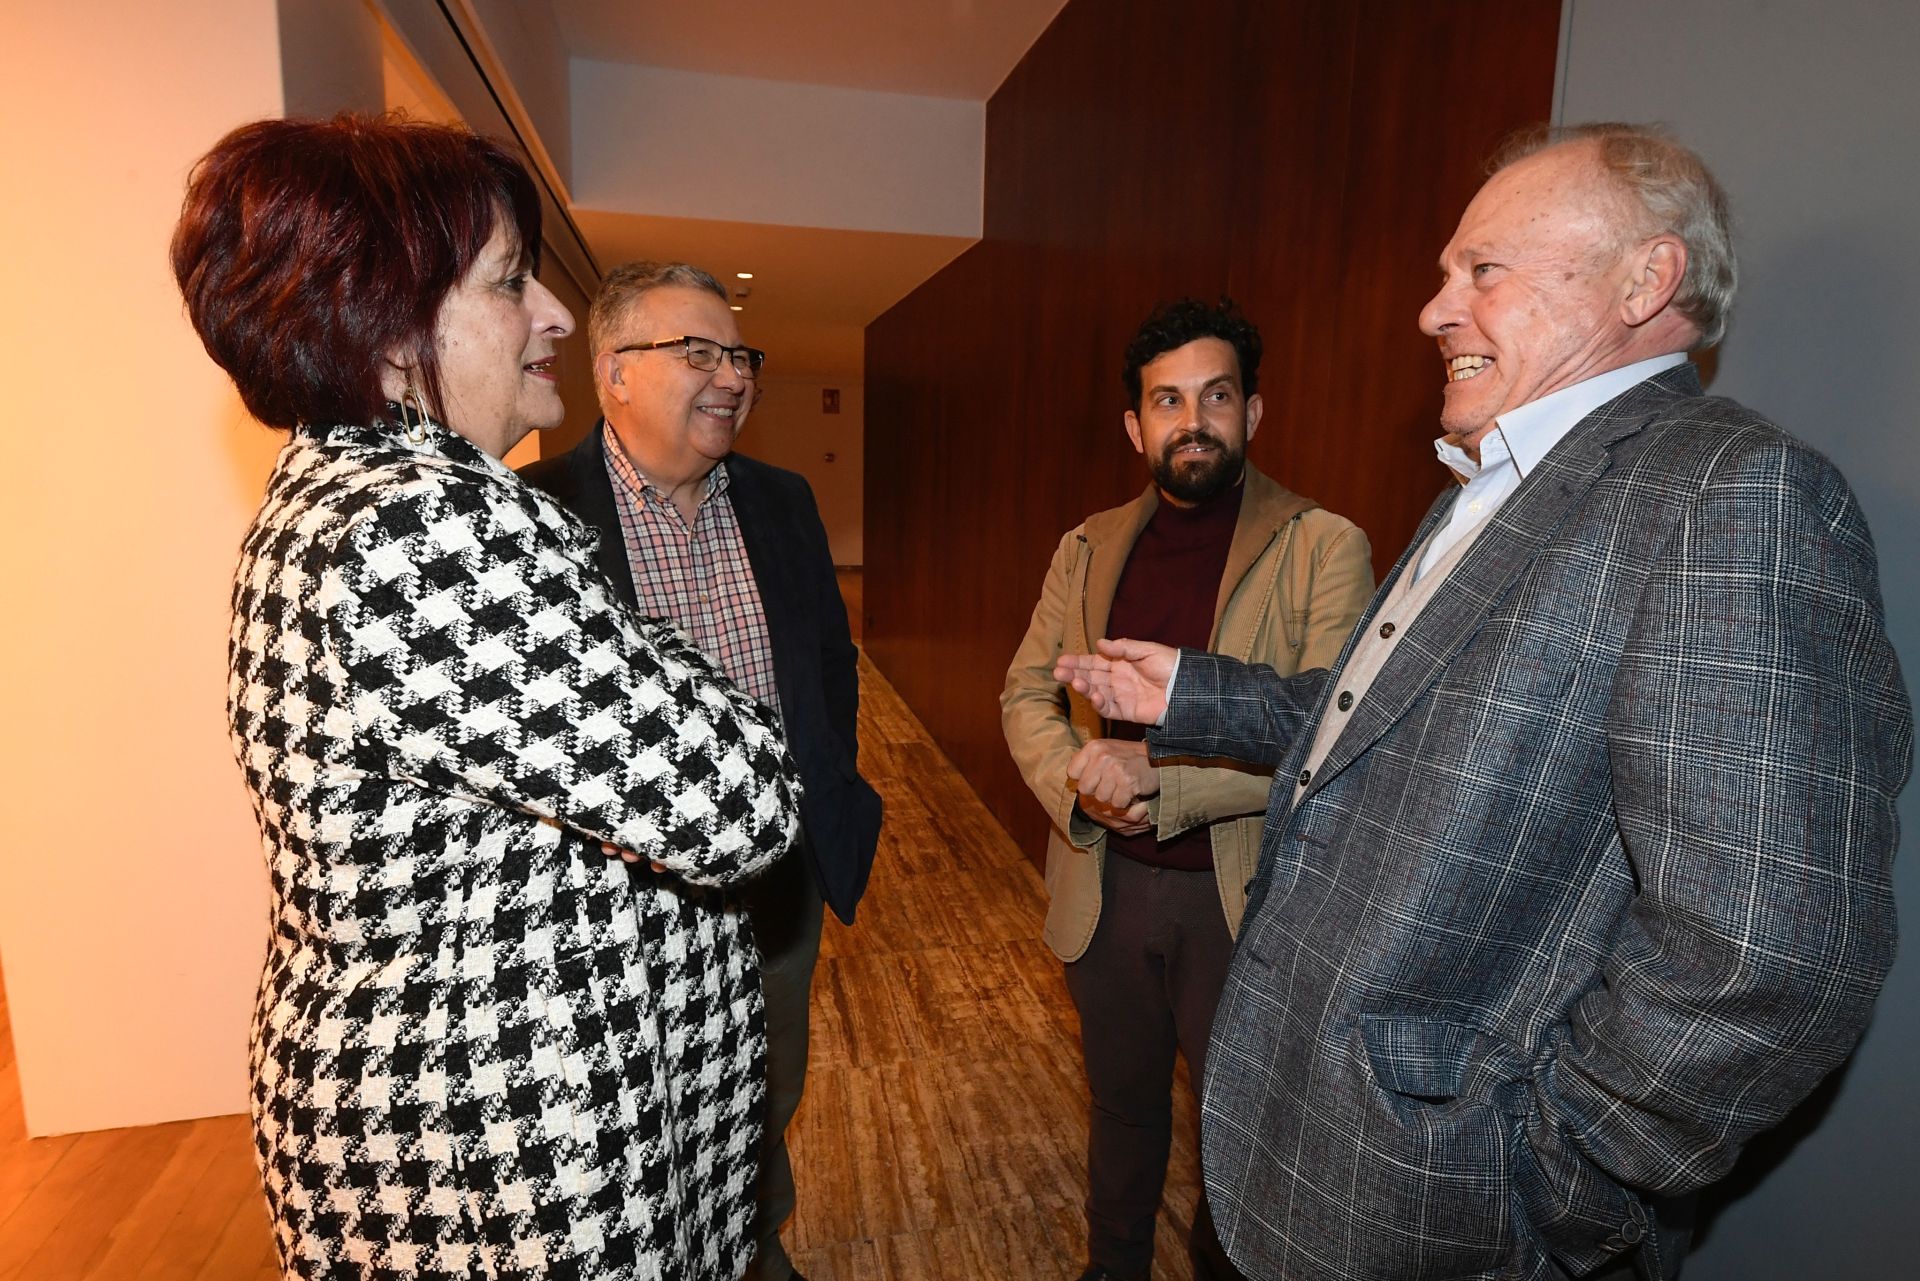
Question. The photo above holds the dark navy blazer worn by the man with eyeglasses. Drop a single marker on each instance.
(815, 662)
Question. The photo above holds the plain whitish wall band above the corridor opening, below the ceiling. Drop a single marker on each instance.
(715, 147)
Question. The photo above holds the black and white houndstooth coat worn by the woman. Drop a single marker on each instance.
(485, 1050)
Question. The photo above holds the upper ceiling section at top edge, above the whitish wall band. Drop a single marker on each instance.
(942, 49)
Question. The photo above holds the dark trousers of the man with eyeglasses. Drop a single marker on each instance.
(784, 909)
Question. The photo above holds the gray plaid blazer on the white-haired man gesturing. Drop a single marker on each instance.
(1595, 886)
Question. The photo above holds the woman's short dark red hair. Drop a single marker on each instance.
(310, 251)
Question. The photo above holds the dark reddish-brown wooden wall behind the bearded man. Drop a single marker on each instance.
(1308, 158)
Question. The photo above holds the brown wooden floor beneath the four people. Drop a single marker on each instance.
(944, 1126)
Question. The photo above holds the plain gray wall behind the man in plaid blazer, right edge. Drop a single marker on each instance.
(1810, 112)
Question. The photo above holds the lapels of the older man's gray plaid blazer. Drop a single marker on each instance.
(1499, 558)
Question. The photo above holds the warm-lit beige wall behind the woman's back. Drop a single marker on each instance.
(132, 892)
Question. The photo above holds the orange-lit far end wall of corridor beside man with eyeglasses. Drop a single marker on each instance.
(788, 429)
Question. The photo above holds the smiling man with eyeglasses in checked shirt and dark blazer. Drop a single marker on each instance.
(734, 554)
